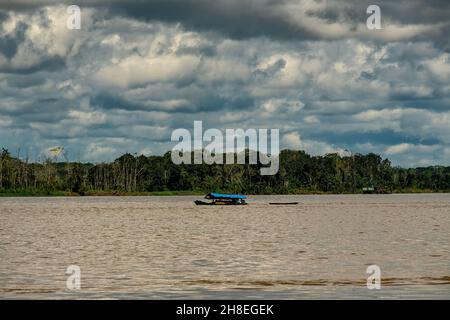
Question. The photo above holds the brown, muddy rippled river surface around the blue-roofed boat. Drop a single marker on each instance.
(168, 248)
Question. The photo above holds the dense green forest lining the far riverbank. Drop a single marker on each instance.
(298, 173)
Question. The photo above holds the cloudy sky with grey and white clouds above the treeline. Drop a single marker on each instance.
(137, 70)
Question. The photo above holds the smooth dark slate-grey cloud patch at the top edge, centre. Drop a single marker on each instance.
(235, 19)
